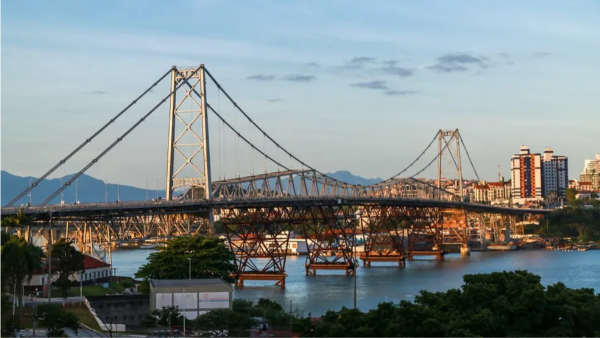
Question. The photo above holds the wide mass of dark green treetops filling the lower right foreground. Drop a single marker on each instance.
(501, 304)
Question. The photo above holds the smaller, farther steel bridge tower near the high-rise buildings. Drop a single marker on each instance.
(449, 162)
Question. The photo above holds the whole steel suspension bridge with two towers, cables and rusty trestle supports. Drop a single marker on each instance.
(400, 217)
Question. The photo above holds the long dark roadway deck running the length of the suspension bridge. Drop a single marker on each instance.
(199, 205)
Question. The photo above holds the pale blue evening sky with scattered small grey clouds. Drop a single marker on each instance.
(362, 86)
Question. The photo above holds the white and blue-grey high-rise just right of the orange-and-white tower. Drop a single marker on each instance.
(555, 173)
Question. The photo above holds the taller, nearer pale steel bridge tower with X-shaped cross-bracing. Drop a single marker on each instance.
(185, 139)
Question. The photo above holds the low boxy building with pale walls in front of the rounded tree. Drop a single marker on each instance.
(194, 297)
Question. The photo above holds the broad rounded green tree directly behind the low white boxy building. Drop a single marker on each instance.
(210, 258)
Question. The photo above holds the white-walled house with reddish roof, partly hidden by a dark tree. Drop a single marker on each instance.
(94, 269)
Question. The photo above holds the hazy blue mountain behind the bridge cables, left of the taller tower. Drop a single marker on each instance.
(89, 190)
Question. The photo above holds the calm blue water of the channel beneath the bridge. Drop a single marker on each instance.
(331, 291)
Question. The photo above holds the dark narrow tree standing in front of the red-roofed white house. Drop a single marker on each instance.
(66, 260)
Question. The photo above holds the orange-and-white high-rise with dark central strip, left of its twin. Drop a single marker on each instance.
(526, 176)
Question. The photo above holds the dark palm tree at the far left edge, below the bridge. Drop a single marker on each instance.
(19, 260)
